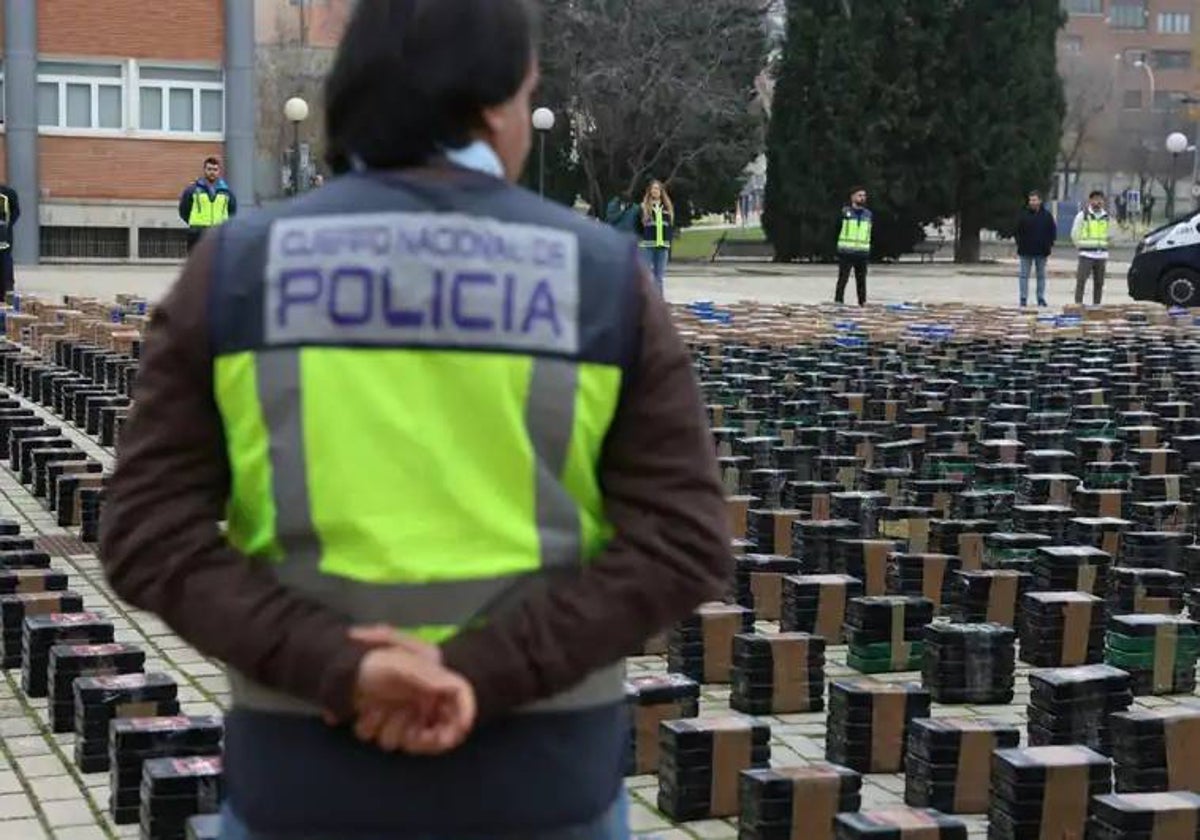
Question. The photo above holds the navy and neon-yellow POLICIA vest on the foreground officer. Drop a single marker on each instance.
(419, 447)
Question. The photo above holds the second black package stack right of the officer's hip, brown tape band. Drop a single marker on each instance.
(700, 763)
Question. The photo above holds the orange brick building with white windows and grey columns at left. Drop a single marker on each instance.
(110, 110)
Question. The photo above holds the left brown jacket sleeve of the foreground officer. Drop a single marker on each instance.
(161, 545)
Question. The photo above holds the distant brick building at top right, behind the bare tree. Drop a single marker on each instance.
(1133, 63)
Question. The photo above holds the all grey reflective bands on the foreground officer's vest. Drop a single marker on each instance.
(550, 418)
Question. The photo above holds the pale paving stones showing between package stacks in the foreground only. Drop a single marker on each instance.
(44, 797)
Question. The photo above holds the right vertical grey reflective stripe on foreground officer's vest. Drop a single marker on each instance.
(550, 418)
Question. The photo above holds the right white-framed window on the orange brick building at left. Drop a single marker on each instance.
(182, 100)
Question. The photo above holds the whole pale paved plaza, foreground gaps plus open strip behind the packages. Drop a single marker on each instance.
(44, 796)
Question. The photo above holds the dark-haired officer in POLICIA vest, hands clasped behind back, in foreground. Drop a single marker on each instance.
(463, 458)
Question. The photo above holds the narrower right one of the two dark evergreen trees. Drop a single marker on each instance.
(1007, 107)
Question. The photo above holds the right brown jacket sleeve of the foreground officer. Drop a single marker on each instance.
(671, 551)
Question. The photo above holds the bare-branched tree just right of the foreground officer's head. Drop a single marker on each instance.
(655, 89)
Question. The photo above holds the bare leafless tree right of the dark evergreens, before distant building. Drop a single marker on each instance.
(1088, 91)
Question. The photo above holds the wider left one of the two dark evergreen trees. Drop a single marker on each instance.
(857, 101)
